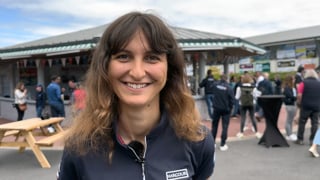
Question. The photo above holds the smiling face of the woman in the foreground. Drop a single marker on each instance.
(137, 73)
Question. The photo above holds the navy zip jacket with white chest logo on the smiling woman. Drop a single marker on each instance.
(166, 157)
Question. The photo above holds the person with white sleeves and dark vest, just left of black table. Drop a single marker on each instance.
(245, 94)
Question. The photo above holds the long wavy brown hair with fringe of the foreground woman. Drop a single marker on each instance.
(92, 127)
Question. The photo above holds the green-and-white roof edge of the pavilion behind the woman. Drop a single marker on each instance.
(230, 47)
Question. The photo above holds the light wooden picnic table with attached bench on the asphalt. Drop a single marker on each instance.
(28, 130)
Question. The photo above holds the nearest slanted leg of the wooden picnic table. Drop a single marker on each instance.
(36, 150)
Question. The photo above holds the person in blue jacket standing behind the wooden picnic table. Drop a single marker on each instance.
(55, 99)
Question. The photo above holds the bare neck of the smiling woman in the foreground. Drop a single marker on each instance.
(135, 124)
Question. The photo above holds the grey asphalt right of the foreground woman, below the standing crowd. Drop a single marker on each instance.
(246, 160)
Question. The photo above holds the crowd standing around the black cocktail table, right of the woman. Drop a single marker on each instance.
(300, 98)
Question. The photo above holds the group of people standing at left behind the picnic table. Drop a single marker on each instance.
(49, 101)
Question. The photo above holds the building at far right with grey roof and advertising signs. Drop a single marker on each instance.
(286, 51)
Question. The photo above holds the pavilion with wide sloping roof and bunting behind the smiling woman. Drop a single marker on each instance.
(69, 56)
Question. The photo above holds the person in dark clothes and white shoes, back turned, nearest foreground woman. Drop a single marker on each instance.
(222, 104)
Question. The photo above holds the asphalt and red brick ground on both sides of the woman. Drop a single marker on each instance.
(245, 160)
